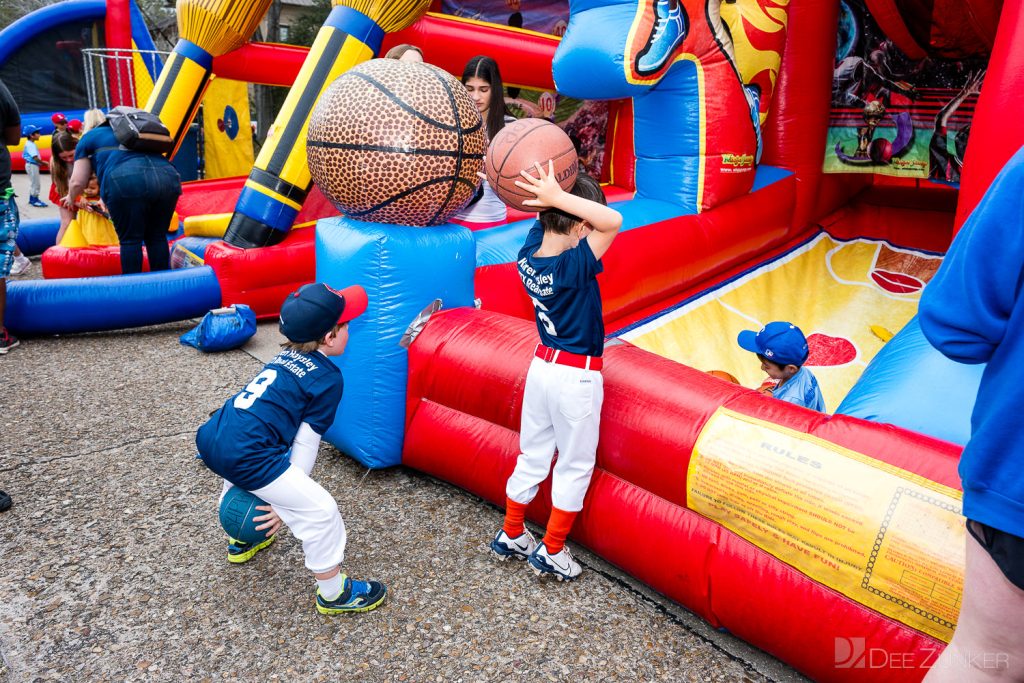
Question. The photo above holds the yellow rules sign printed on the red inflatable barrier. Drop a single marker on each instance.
(884, 537)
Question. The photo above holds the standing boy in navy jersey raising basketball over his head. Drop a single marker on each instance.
(559, 266)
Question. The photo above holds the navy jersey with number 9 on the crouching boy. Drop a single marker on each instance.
(248, 441)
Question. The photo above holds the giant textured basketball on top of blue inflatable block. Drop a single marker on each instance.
(395, 142)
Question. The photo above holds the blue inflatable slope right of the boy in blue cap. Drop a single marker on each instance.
(912, 386)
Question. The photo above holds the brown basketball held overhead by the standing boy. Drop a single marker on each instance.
(518, 147)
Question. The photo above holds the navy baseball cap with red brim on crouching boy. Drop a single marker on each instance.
(313, 311)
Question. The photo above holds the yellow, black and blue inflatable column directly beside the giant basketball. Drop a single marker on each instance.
(280, 181)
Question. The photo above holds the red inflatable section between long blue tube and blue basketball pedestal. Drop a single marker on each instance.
(263, 278)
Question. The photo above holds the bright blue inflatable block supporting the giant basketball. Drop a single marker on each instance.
(404, 270)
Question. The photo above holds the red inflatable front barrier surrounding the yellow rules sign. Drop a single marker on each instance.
(463, 413)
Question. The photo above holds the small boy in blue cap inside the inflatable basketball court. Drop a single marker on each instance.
(783, 351)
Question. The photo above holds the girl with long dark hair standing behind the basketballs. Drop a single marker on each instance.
(484, 82)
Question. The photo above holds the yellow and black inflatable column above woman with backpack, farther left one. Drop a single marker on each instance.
(208, 29)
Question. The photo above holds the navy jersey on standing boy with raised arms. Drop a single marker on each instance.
(567, 298)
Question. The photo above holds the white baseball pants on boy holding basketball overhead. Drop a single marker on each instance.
(562, 408)
